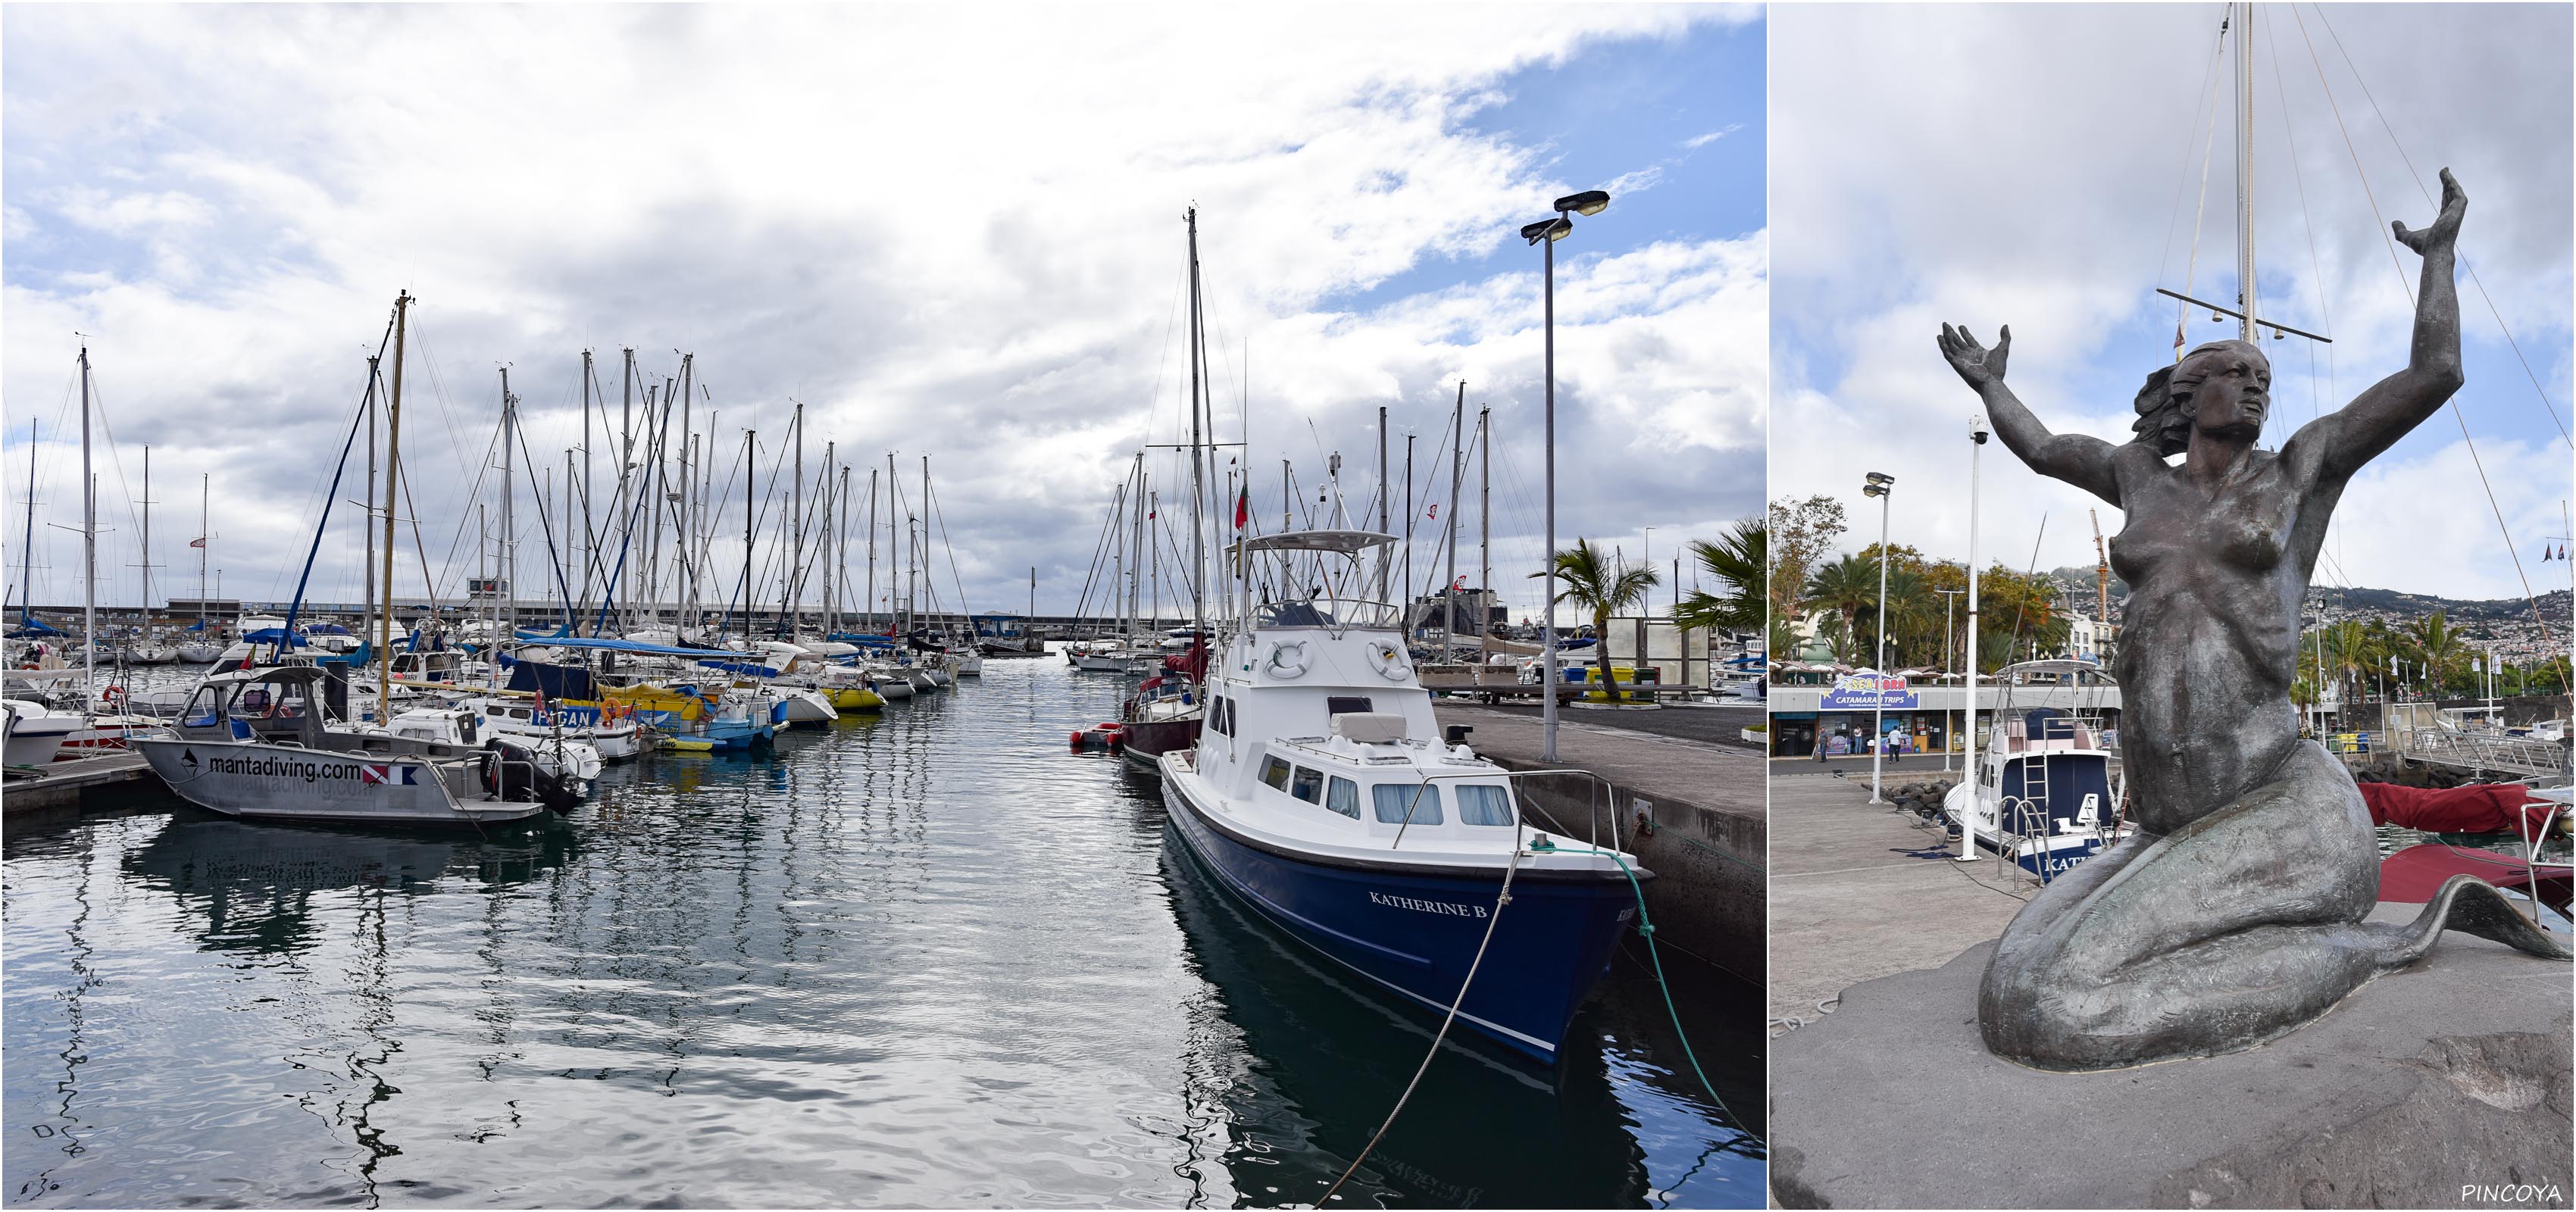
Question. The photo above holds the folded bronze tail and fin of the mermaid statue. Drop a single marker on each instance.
(2222, 935)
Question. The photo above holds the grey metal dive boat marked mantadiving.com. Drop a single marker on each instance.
(256, 742)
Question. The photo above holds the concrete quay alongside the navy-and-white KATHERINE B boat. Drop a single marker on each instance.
(1704, 812)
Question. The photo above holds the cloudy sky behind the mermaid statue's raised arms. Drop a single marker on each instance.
(2039, 166)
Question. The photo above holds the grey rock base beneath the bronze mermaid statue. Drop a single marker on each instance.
(2446, 1085)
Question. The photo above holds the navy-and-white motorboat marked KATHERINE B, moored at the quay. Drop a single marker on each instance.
(1323, 796)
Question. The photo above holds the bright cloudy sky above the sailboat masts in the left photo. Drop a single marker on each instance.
(944, 233)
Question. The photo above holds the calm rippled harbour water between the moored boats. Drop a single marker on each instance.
(913, 961)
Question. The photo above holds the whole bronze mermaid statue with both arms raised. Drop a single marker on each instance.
(2235, 912)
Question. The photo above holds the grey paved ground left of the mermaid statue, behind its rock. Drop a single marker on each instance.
(1859, 894)
